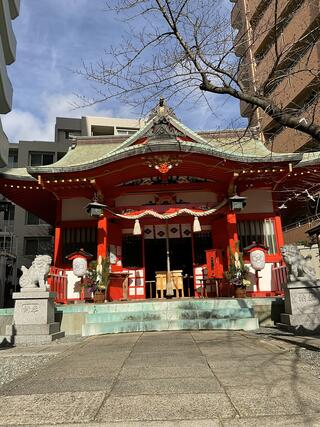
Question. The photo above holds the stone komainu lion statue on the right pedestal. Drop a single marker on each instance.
(299, 267)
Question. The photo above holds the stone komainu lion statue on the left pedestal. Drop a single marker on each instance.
(37, 274)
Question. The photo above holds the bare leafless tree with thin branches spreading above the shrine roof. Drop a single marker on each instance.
(186, 48)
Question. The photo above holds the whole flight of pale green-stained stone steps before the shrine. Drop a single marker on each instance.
(169, 315)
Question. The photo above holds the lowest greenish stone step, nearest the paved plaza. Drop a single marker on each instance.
(162, 325)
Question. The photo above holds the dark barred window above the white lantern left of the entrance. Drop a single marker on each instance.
(76, 238)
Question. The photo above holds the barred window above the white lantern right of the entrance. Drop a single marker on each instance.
(259, 231)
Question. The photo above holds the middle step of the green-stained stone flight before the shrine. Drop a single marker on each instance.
(139, 316)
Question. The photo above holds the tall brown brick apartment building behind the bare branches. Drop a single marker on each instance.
(293, 50)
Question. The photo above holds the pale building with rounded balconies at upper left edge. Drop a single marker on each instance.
(9, 10)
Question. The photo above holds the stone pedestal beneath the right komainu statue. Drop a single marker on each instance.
(302, 307)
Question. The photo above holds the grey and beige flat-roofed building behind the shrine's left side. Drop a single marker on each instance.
(26, 233)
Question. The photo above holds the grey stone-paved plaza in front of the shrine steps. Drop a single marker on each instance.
(200, 378)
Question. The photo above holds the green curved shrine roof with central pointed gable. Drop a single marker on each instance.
(90, 152)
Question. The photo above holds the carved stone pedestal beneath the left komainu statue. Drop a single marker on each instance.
(33, 318)
